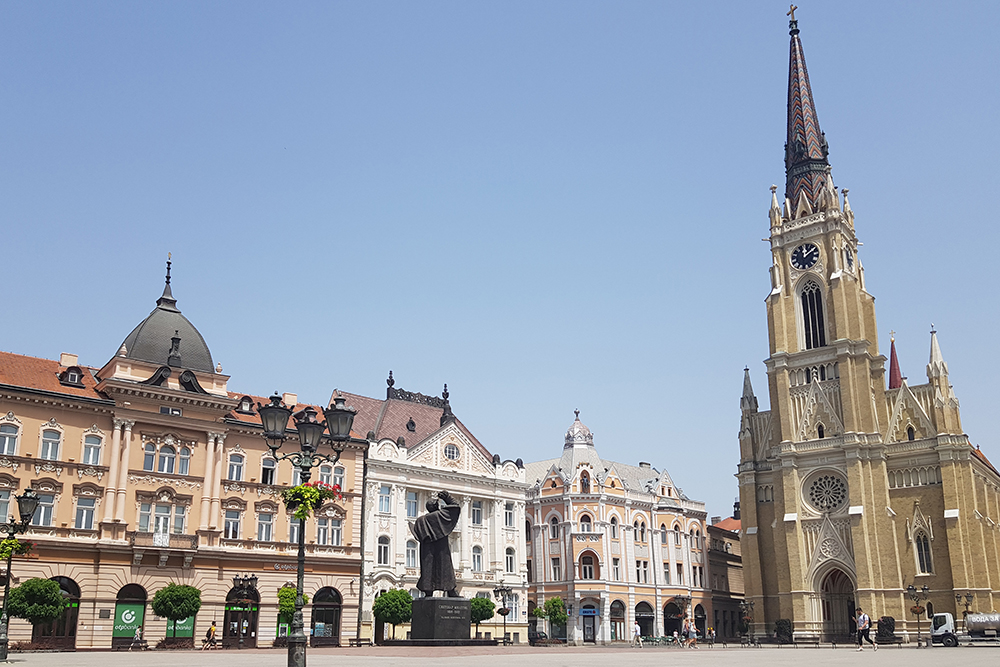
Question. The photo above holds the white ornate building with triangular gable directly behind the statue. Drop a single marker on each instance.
(417, 448)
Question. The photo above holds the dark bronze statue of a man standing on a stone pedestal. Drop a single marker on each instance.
(432, 529)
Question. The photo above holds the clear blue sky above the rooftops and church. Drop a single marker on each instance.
(546, 205)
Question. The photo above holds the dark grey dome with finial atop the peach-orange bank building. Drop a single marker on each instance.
(151, 340)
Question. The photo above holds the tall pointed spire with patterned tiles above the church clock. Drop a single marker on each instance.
(807, 170)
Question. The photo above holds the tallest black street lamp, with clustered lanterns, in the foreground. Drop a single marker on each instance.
(274, 418)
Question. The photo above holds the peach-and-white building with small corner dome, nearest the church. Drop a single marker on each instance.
(620, 544)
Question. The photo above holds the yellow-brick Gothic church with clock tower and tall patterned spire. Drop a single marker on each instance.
(825, 529)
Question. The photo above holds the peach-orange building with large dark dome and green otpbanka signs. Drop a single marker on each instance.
(150, 470)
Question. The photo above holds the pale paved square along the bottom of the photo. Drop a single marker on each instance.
(525, 656)
